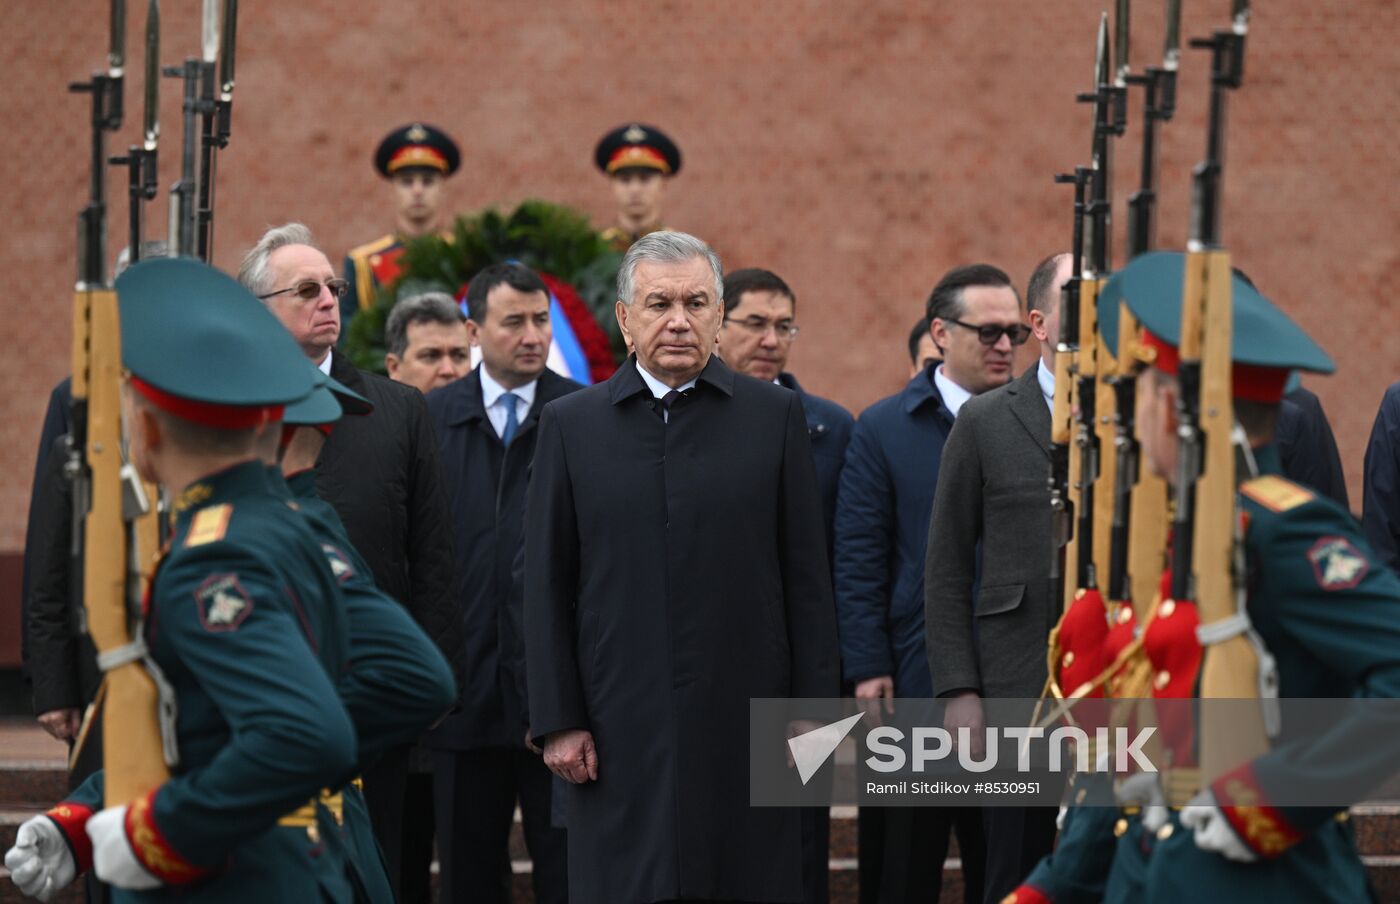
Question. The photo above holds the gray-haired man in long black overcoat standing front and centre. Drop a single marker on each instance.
(675, 569)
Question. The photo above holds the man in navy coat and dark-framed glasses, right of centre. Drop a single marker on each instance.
(883, 518)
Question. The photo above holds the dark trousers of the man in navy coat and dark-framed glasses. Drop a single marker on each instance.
(904, 853)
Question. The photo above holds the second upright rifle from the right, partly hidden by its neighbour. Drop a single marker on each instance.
(1139, 528)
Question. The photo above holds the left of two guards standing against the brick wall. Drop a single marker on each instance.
(415, 159)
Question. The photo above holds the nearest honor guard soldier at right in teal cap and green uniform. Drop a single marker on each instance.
(1318, 601)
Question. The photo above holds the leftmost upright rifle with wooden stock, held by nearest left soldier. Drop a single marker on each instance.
(107, 496)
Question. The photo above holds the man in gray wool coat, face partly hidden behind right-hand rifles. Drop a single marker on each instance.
(988, 602)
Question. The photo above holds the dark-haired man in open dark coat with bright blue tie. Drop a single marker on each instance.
(486, 428)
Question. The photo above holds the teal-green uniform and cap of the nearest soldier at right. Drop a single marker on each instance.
(1326, 612)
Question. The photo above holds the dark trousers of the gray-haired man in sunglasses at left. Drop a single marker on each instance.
(401, 811)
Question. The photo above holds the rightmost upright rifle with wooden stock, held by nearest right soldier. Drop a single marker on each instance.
(1205, 566)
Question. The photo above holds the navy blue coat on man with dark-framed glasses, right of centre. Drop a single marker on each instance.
(883, 513)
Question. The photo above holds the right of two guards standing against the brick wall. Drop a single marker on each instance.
(640, 162)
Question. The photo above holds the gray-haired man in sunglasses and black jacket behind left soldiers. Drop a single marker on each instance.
(383, 476)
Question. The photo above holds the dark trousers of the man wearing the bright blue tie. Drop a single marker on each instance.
(477, 794)
